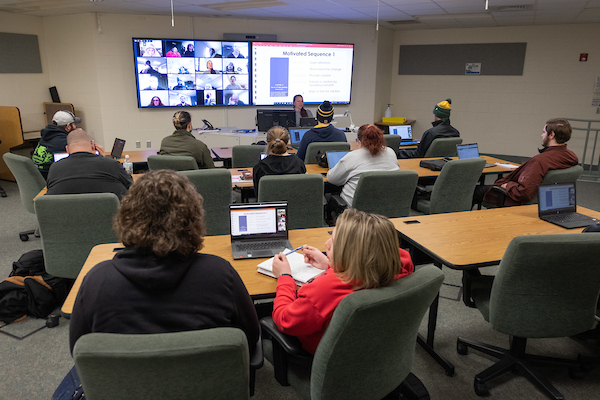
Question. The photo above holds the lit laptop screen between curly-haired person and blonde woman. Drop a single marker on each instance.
(254, 221)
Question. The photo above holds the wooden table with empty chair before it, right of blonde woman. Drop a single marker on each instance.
(471, 239)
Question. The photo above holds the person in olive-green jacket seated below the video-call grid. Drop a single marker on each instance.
(183, 143)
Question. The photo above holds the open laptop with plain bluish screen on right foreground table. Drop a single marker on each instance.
(557, 203)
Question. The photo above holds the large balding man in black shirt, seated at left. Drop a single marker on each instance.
(84, 171)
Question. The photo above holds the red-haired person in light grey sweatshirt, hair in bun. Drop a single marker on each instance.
(372, 155)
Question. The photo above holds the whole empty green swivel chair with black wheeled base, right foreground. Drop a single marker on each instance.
(546, 287)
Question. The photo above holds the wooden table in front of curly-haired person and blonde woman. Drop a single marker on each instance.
(258, 285)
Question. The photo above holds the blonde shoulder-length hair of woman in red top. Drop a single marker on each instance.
(366, 250)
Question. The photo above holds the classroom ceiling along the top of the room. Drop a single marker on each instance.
(395, 14)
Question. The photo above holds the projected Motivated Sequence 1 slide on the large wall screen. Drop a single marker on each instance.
(316, 71)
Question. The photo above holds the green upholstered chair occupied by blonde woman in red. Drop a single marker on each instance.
(368, 348)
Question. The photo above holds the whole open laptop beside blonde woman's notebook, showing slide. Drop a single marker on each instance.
(258, 230)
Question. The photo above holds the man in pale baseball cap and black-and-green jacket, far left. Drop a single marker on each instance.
(54, 140)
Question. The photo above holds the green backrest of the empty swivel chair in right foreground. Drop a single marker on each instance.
(547, 286)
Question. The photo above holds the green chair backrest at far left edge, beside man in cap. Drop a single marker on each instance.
(29, 179)
